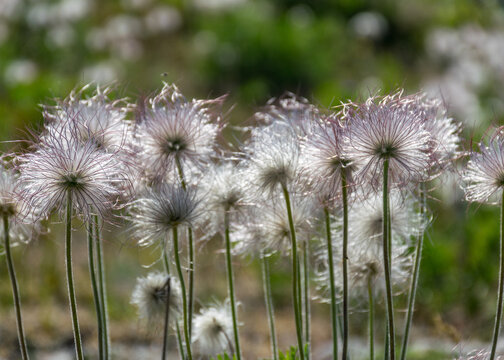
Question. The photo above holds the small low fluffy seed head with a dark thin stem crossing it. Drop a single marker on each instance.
(151, 295)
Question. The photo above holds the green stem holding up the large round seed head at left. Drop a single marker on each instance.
(70, 280)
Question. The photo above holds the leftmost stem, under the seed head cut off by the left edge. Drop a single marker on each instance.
(15, 290)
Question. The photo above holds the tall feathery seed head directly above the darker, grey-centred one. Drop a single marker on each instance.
(175, 133)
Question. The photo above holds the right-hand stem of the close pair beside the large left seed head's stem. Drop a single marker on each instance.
(102, 286)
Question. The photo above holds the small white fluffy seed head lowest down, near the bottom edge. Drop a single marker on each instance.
(213, 330)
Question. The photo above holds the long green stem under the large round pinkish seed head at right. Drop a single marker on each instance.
(386, 260)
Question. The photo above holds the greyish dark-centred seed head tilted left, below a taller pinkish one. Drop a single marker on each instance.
(160, 209)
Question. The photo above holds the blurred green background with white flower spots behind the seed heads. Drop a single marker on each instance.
(327, 51)
